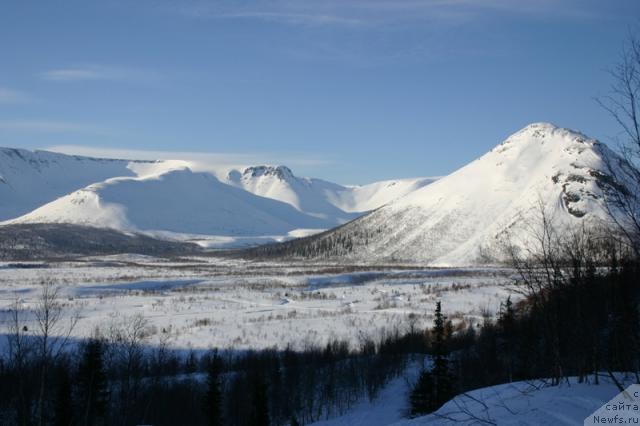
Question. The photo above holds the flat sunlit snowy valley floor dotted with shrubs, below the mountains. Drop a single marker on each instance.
(201, 303)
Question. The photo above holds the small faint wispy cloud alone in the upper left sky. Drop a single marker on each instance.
(99, 72)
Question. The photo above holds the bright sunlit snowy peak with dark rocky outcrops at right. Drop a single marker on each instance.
(460, 219)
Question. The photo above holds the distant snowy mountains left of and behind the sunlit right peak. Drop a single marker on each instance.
(181, 197)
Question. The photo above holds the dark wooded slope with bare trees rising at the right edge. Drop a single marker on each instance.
(580, 318)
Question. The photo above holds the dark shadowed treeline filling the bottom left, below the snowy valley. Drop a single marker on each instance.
(115, 379)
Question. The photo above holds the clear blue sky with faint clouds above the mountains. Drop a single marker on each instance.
(348, 90)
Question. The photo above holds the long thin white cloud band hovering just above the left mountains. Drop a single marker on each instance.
(230, 159)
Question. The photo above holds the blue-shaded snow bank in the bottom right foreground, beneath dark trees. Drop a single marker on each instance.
(520, 403)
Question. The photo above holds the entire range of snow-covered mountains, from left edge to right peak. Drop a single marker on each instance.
(457, 220)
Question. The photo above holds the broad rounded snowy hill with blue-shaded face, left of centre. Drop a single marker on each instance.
(178, 201)
